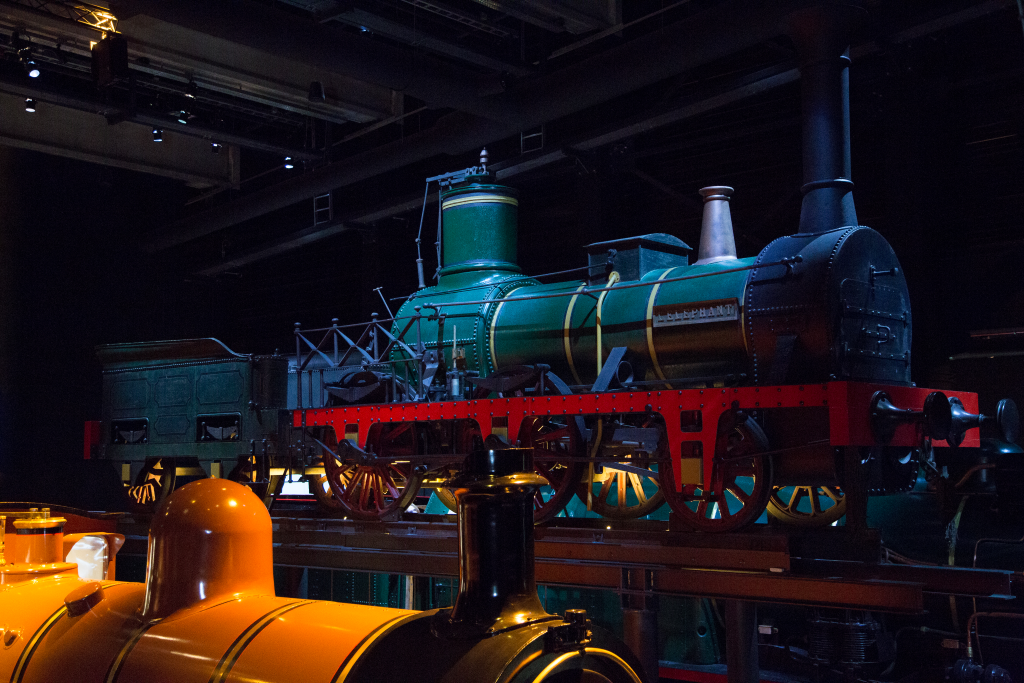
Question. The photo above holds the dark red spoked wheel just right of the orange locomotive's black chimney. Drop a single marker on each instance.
(558, 448)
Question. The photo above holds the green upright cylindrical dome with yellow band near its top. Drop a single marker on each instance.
(480, 225)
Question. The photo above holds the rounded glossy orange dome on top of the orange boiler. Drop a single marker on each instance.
(210, 540)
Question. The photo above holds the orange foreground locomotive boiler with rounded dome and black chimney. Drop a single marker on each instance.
(207, 612)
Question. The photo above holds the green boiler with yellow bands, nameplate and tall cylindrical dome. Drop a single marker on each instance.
(691, 329)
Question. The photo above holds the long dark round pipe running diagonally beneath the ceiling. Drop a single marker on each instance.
(716, 33)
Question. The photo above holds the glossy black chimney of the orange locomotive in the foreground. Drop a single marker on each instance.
(497, 589)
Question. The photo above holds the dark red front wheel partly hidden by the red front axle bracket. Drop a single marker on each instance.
(741, 483)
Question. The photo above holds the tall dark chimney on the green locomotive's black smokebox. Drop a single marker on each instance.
(822, 35)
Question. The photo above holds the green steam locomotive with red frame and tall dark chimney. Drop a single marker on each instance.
(722, 387)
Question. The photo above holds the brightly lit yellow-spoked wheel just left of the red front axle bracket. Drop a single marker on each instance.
(622, 495)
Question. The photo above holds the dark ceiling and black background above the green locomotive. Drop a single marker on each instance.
(609, 116)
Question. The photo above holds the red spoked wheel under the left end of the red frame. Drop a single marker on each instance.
(380, 491)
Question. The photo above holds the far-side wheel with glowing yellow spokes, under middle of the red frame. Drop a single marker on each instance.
(628, 488)
